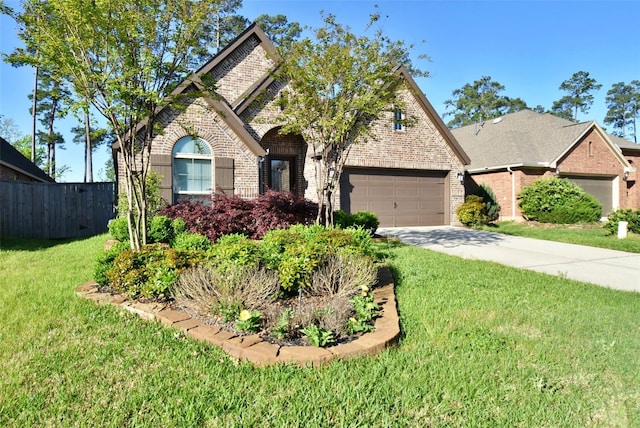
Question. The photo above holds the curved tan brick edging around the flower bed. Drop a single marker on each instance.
(253, 348)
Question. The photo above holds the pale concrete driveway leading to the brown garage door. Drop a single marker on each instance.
(608, 268)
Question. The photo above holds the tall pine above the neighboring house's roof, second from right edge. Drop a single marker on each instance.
(579, 97)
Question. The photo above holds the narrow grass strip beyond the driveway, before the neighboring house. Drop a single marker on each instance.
(591, 236)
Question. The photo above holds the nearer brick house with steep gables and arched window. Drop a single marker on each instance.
(230, 143)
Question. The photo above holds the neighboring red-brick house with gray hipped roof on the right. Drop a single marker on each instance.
(512, 151)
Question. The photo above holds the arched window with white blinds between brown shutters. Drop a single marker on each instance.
(192, 169)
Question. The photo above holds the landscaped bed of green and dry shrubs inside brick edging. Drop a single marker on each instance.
(297, 286)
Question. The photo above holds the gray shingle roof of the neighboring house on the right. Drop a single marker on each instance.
(522, 138)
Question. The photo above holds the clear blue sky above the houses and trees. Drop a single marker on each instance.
(530, 47)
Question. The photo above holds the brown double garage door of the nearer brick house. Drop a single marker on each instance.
(398, 197)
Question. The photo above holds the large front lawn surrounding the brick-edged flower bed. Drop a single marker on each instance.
(482, 345)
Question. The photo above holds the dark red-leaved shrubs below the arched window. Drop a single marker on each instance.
(252, 218)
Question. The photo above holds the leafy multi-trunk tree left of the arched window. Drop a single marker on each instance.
(125, 57)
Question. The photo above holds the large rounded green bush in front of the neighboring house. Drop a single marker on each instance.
(558, 200)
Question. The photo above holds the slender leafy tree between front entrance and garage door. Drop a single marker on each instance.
(339, 84)
